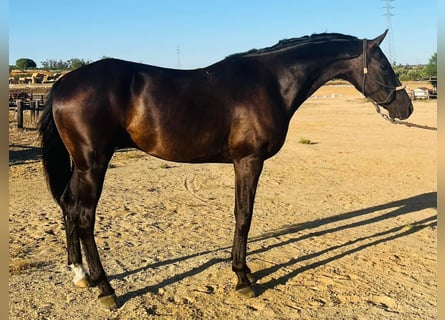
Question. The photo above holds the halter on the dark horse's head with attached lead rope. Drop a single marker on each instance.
(388, 98)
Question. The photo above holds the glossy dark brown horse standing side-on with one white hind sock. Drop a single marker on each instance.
(234, 111)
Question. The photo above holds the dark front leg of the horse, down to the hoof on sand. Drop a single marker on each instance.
(247, 172)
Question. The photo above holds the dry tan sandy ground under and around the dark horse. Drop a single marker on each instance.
(344, 227)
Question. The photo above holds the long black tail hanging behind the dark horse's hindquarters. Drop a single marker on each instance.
(56, 159)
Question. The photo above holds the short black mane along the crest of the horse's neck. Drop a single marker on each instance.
(294, 42)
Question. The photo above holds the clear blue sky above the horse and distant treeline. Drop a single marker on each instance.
(206, 31)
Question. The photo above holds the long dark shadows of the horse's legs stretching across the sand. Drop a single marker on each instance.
(394, 209)
